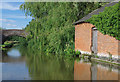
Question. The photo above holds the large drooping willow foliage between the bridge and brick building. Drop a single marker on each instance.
(51, 28)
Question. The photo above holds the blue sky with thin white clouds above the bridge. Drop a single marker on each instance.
(12, 16)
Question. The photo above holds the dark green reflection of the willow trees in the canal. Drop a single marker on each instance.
(43, 67)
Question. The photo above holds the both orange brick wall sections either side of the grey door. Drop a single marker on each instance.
(83, 40)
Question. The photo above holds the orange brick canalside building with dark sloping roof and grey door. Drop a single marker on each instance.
(89, 40)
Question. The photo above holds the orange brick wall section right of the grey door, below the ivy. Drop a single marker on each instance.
(107, 44)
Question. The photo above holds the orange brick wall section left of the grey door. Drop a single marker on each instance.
(83, 37)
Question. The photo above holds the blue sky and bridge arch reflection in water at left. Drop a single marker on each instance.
(14, 68)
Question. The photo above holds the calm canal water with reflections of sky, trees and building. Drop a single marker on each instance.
(18, 66)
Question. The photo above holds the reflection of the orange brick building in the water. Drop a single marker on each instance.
(87, 71)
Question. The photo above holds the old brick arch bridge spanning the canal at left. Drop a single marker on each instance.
(11, 32)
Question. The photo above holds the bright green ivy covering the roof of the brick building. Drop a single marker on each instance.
(107, 22)
